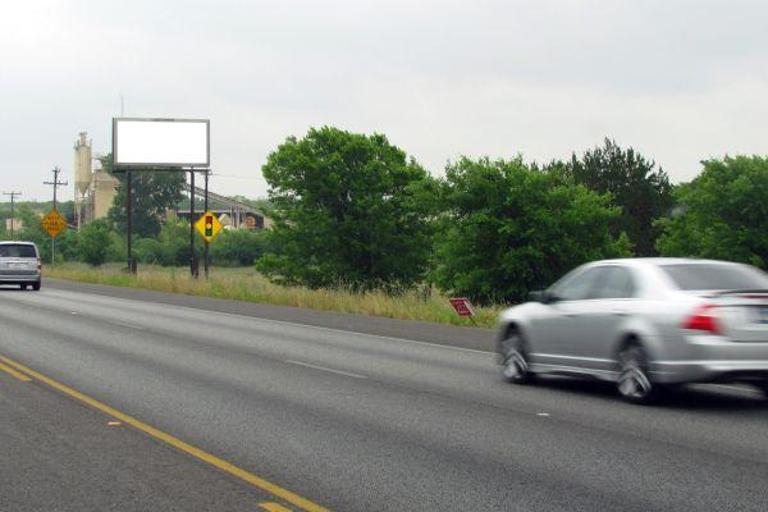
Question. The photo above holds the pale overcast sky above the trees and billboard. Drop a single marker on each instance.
(679, 80)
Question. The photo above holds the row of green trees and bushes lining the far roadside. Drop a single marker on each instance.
(352, 210)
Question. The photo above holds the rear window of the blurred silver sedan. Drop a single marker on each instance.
(713, 276)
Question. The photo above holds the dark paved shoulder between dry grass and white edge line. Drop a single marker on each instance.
(475, 338)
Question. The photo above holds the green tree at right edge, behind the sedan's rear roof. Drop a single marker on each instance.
(721, 214)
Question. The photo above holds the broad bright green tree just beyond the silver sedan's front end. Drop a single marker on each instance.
(509, 228)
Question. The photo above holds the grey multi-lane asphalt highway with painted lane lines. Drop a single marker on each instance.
(347, 417)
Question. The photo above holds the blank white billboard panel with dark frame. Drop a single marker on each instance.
(153, 143)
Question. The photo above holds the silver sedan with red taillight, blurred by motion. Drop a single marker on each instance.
(644, 324)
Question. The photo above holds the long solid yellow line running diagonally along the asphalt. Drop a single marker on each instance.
(256, 481)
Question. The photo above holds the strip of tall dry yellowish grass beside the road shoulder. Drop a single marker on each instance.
(247, 285)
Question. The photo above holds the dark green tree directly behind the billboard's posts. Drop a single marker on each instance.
(153, 193)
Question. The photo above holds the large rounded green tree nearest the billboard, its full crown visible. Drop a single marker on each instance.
(349, 209)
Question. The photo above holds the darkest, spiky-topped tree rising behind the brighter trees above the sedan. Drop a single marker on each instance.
(642, 191)
